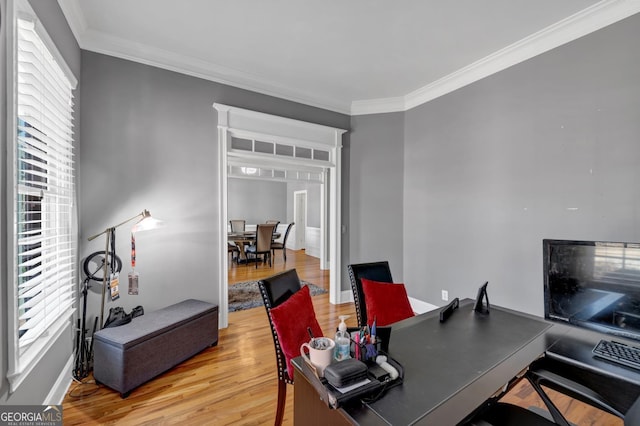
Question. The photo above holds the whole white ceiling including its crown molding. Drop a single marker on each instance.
(350, 56)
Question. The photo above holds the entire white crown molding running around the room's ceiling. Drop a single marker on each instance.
(599, 15)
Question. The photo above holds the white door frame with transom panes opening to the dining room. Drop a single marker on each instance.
(280, 148)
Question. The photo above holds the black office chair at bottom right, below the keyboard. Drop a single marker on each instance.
(559, 377)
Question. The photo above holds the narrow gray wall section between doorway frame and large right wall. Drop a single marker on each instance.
(374, 188)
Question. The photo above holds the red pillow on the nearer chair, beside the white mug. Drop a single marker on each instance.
(291, 320)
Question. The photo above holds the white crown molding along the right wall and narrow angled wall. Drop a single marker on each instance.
(591, 19)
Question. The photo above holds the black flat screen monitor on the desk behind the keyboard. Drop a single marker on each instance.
(593, 284)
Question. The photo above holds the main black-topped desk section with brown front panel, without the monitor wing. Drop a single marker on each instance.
(450, 368)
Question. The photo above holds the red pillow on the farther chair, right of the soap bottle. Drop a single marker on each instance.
(386, 302)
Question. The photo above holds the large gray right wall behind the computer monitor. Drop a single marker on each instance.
(546, 149)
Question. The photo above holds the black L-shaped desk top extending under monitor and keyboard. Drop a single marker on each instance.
(451, 368)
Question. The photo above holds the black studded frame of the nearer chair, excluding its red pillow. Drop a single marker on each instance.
(276, 290)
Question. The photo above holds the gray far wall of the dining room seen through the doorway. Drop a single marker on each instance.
(256, 200)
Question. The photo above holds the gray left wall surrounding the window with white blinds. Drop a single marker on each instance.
(42, 379)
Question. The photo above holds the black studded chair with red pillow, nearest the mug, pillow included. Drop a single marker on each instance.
(290, 312)
